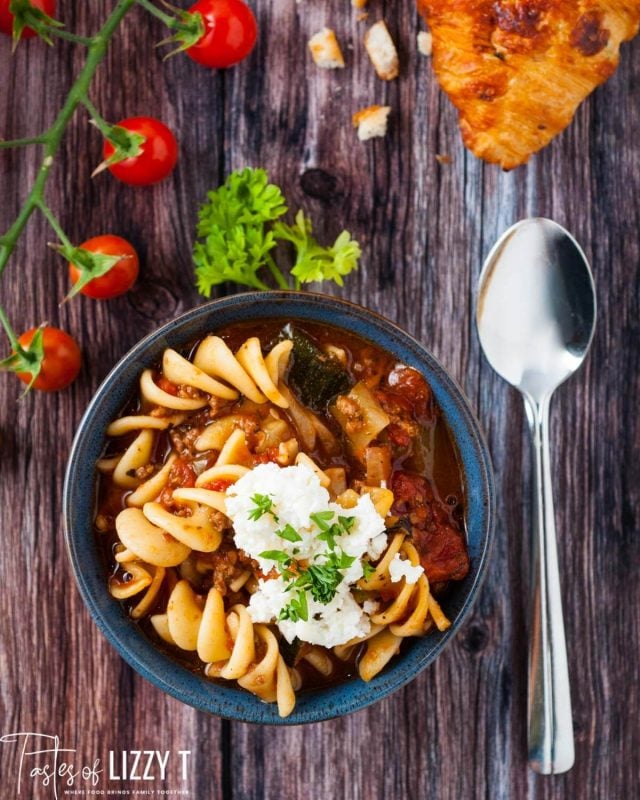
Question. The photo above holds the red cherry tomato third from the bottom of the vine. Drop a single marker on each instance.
(157, 159)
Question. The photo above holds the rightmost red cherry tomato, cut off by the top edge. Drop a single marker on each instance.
(230, 33)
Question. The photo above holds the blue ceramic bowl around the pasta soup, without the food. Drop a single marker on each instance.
(230, 701)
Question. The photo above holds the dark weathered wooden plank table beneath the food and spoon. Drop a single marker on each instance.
(457, 732)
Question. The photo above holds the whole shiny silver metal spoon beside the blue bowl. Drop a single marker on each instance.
(536, 316)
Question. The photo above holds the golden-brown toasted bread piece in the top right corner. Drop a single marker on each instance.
(517, 70)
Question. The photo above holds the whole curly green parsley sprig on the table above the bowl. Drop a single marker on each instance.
(240, 225)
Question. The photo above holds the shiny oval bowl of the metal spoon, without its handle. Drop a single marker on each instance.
(536, 306)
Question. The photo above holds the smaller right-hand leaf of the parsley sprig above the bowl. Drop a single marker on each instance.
(313, 261)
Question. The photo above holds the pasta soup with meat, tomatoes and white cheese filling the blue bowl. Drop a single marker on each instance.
(266, 508)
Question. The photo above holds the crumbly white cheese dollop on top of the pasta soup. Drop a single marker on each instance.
(295, 493)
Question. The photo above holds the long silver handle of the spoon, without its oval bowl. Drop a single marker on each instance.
(550, 726)
